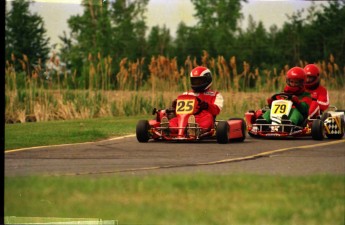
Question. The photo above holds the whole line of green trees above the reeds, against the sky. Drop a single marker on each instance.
(118, 29)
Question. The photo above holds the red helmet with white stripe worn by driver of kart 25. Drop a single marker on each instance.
(200, 79)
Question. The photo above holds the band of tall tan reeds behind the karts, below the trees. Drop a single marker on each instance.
(44, 93)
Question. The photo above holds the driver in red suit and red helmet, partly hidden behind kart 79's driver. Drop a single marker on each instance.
(318, 92)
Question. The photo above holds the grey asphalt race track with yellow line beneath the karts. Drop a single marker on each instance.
(125, 155)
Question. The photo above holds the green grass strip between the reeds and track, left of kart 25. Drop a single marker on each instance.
(67, 131)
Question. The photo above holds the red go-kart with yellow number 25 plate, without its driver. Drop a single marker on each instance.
(188, 130)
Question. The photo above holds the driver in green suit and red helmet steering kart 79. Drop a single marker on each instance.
(295, 81)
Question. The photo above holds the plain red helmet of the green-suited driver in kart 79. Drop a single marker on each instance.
(295, 80)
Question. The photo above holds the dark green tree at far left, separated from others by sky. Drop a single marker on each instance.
(25, 34)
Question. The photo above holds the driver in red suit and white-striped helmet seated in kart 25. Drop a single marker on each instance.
(210, 102)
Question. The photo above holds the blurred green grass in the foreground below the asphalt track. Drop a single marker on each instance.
(181, 199)
